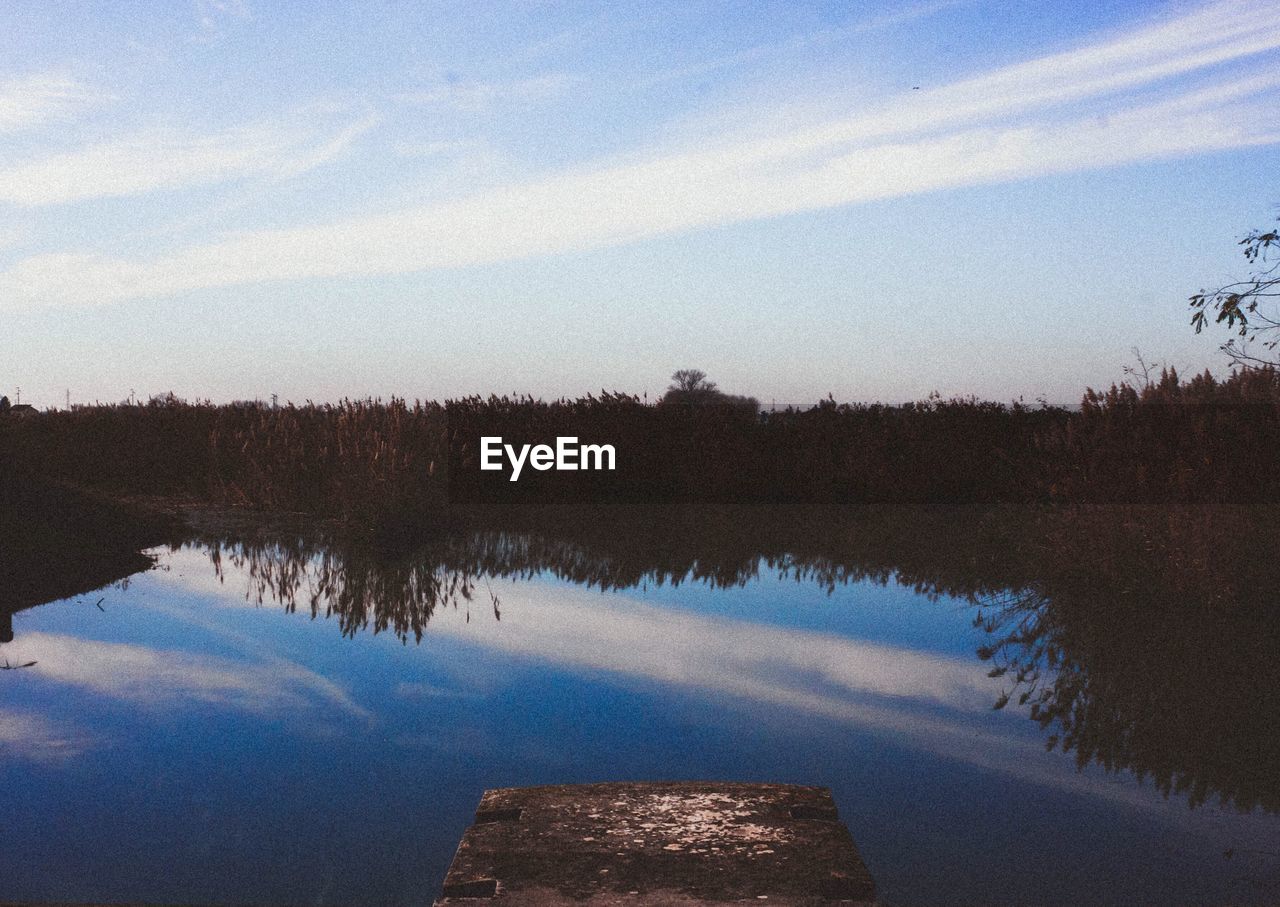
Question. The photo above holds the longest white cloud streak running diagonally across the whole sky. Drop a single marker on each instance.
(1137, 97)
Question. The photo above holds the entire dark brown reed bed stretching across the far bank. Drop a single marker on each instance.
(1169, 442)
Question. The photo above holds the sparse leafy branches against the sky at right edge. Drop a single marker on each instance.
(1249, 306)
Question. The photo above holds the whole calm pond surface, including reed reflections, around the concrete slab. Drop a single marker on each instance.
(292, 722)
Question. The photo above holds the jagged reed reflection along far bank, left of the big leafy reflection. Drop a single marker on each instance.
(368, 587)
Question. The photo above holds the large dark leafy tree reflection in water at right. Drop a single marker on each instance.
(1153, 647)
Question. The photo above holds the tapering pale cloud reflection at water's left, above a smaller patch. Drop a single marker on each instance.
(159, 679)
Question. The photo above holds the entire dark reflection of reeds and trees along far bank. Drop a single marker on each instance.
(1137, 645)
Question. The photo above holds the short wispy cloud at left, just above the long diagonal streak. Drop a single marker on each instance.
(168, 161)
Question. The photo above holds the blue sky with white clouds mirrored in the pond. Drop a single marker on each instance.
(188, 746)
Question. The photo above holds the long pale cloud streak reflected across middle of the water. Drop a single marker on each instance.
(918, 700)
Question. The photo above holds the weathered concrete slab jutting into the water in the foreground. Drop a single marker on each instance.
(657, 844)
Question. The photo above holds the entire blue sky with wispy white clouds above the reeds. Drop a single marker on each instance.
(232, 199)
